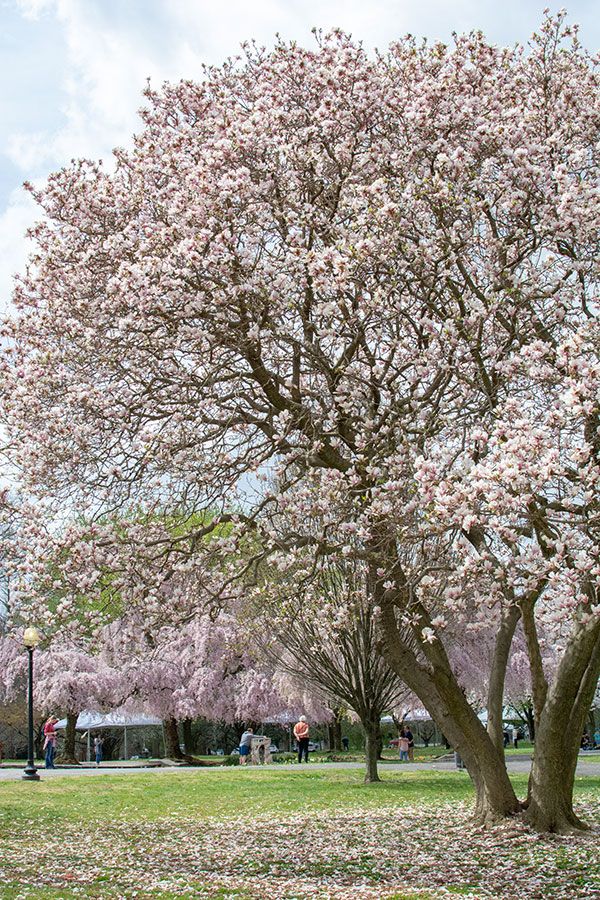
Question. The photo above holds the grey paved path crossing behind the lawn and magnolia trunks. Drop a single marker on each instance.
(515, 764)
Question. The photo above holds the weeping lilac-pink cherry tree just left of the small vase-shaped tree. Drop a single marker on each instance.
(205, 667)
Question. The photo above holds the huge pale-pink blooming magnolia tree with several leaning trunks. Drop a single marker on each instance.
(369, 282)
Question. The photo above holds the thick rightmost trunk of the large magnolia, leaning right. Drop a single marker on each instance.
(550, 799)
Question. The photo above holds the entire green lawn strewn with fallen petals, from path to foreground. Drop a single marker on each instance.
(279, 835)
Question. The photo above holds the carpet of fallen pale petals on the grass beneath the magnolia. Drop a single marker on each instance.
(407, 852)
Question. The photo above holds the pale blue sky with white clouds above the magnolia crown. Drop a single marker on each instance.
(72, 71)
